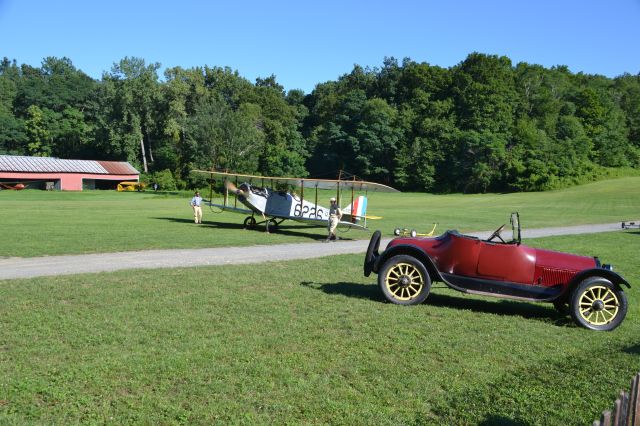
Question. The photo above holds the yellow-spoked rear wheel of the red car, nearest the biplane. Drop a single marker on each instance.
(404, 280)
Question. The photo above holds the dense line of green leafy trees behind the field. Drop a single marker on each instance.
(482, 125)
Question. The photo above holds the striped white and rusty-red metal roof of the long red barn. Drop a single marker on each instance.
(17, 163)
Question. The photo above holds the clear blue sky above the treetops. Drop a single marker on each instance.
(307, 42)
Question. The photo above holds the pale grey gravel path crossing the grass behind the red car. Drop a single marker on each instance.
(17, 267)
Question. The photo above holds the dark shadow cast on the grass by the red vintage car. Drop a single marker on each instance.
(536, 311)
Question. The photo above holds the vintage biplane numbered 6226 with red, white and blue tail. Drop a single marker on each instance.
(275, 199)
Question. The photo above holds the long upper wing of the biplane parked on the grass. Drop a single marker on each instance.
(358, 185)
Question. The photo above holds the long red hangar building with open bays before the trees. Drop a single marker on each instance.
(66, 175)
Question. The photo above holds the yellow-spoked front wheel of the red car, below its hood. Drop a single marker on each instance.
(597, 304)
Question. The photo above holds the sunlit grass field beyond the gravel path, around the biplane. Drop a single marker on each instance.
(37, 223)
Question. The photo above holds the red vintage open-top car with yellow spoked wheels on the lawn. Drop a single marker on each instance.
(495, 267)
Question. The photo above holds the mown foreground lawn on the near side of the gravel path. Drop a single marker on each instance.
(304, 342)
